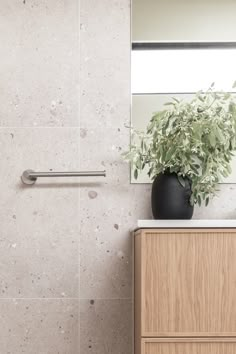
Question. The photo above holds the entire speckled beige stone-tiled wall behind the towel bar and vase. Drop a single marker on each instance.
(65, 246)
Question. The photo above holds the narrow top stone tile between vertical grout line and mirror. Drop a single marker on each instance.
(105, 63)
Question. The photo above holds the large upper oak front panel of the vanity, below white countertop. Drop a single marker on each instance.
(189, 283)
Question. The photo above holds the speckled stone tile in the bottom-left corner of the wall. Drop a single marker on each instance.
(39, 326)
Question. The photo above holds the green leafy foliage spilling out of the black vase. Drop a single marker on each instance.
(192, 139)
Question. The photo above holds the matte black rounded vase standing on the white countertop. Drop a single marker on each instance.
(170, 200)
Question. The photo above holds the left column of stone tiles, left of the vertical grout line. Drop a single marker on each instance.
(39, 129)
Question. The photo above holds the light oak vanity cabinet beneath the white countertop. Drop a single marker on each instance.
(185, 291)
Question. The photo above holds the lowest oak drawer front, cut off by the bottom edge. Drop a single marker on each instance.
(188, 347)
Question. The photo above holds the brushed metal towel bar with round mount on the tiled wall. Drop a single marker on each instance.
(30, 176)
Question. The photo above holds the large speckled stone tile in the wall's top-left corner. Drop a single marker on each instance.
(39, 63)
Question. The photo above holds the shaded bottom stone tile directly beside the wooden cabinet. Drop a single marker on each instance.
(106, 327)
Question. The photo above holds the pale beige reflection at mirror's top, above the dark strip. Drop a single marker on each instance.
(183, 21)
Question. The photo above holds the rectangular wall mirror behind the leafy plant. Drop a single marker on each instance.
(179, 48)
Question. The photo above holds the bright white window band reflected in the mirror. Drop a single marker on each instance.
(182, 70)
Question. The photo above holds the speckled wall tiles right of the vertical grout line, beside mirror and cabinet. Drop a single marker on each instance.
(109, 211)
